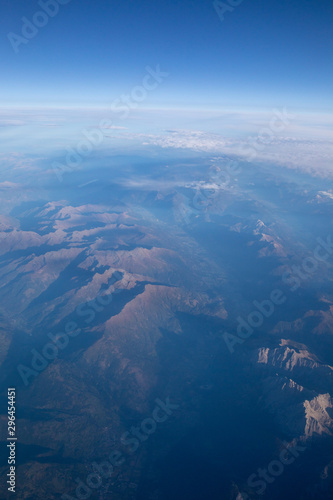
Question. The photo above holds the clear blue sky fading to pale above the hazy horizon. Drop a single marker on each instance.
(263, 53)
